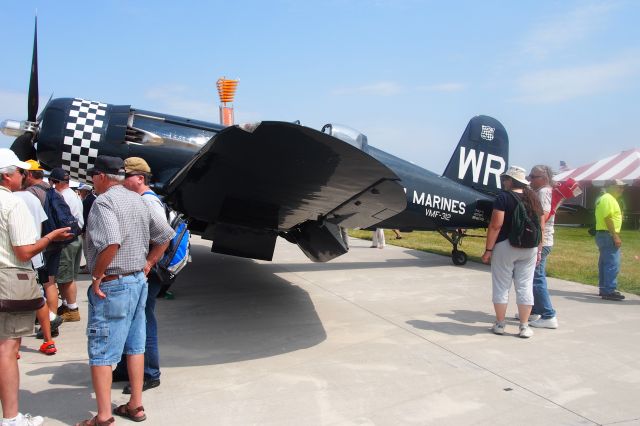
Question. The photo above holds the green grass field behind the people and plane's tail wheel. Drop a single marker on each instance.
(574, 256)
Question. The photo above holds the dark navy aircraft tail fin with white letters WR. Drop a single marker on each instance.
(481, 155)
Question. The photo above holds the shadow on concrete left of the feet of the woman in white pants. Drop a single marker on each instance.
(460, 326)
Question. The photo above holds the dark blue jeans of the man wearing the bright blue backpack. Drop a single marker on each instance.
(151, 353)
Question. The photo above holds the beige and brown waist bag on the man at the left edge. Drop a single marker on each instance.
(19, 290)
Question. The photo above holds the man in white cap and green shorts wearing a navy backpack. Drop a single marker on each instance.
(71, 254)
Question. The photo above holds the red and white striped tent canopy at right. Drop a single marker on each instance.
(624, 166)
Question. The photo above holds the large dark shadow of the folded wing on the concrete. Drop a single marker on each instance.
(231, 309)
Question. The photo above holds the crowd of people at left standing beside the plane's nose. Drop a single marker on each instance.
(123, 231)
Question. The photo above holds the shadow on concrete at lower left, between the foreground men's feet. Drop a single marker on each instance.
(70, 388)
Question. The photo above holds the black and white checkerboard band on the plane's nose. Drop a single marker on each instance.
(85, 128)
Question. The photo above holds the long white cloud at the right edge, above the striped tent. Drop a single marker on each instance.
(558, 85)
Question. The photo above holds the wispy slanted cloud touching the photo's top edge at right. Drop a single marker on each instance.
(564, 31)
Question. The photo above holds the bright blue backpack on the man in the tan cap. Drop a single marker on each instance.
(177, 255)
